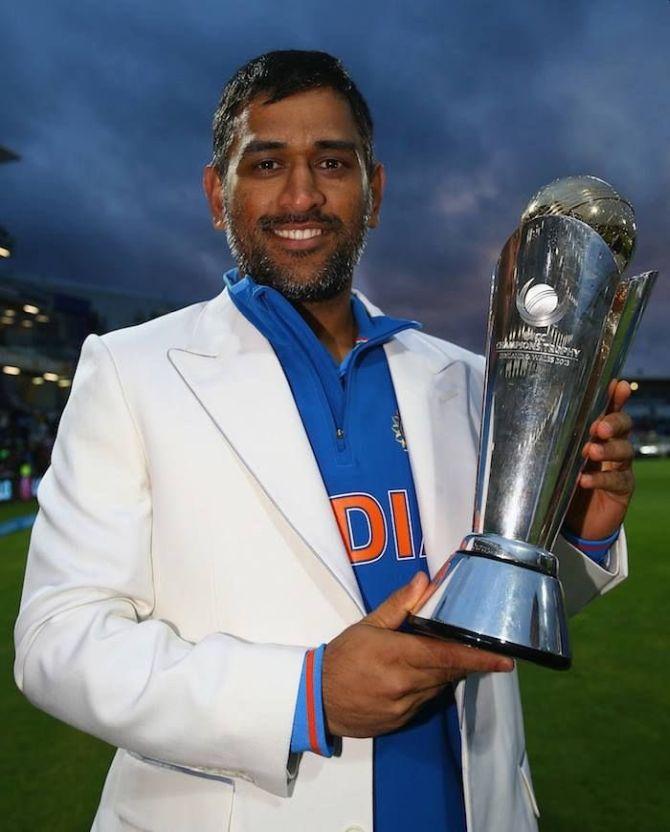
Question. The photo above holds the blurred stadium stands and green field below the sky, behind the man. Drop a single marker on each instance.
(596, 735)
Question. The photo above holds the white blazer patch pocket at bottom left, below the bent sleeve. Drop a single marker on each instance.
(153, 797)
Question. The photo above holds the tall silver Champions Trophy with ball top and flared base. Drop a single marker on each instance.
(562, 317)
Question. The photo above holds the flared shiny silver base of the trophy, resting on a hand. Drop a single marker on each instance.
(500, 595)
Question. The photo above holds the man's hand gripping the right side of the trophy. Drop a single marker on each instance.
(606, 486)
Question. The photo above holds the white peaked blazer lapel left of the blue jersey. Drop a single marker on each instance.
(235, 375)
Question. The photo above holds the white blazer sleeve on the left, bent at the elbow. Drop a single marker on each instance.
(87, 648)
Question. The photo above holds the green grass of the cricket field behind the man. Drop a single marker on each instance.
(597, 735)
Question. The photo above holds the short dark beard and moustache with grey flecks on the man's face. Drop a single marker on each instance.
(333, 277)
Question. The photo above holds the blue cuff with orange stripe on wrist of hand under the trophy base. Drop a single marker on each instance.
(309, 723)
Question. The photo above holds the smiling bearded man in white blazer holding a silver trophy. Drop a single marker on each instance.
(245, 499)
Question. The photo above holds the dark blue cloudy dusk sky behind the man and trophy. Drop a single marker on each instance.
(476, 105)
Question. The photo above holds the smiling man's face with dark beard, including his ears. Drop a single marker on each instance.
(296, 199)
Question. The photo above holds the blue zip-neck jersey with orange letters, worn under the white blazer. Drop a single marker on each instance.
(351, 417)
